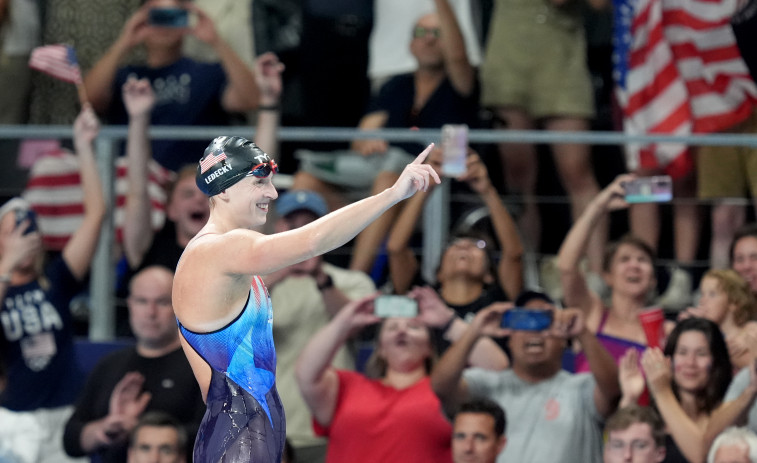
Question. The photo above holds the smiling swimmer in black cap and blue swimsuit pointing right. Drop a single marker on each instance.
(223, 307)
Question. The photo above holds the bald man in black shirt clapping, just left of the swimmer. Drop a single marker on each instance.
(154, 374)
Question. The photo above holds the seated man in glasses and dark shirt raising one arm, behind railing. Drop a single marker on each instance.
(442, 90)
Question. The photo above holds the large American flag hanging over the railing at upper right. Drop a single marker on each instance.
(678, 71)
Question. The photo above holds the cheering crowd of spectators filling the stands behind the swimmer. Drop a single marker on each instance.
(450, 382)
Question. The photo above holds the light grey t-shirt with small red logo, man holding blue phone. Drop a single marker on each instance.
(553, 420)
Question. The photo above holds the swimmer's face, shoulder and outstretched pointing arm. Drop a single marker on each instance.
(241, 251)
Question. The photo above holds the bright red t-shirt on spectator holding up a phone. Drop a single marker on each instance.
(377, 423)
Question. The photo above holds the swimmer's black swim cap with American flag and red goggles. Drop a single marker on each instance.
(228, 160)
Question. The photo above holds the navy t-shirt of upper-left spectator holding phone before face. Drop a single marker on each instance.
(187, 92)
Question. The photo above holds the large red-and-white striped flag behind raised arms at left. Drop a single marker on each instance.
(55, 194)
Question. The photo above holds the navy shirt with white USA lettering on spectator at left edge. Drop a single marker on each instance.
(36, 342)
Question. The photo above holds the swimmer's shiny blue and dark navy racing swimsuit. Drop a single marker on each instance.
(244, 421)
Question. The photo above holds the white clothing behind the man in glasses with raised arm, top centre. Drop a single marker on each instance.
(393, 21)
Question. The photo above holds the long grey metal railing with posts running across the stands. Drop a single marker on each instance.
(102, 321)
